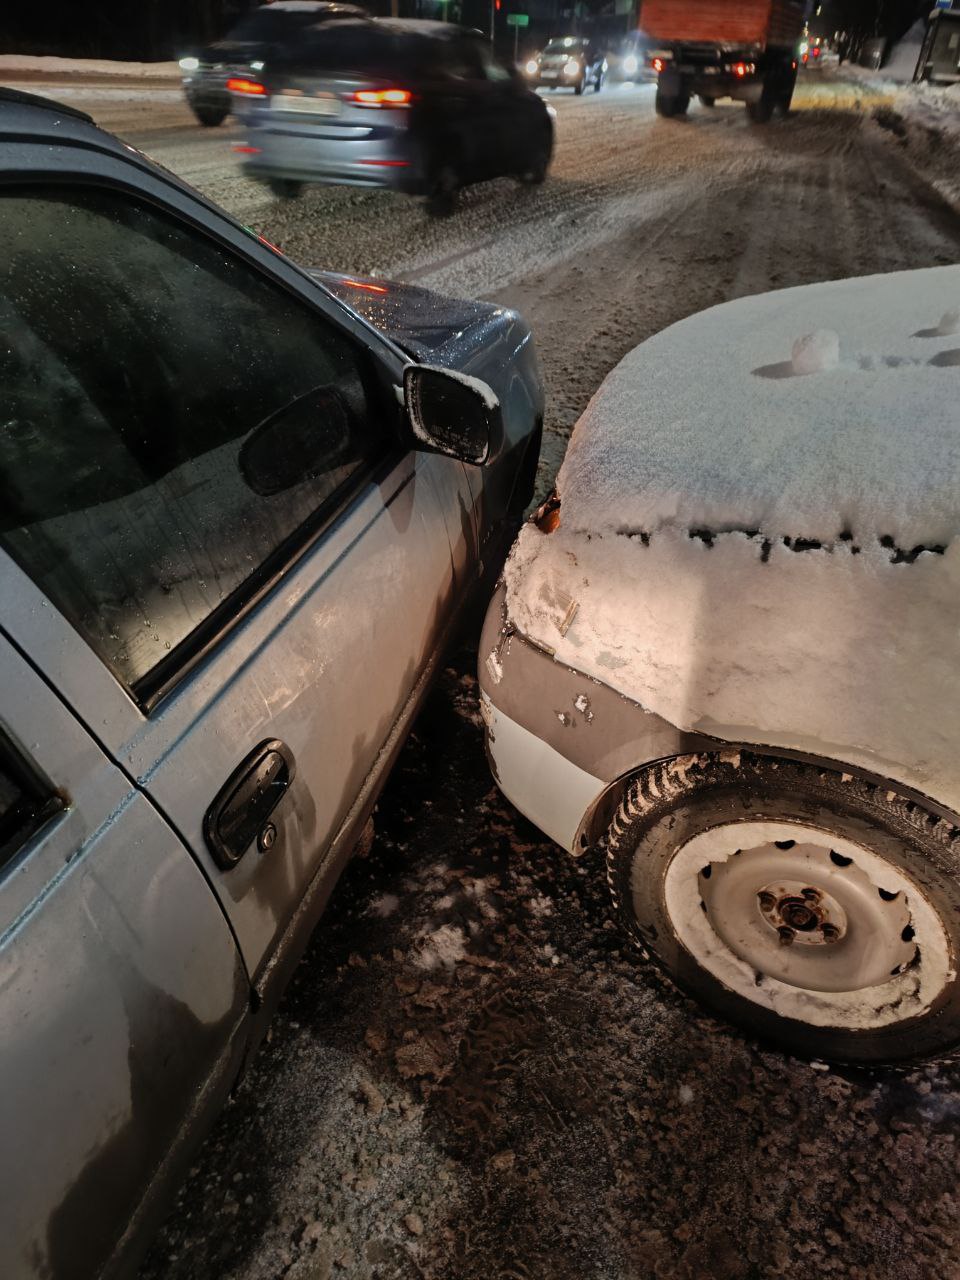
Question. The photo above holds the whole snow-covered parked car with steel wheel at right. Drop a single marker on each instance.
(729, 656)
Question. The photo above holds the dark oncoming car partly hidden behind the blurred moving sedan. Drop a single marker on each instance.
(246, 48)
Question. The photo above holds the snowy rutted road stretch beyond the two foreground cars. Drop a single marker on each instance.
(641, 223)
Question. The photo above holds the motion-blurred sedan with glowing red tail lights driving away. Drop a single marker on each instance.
(419, 107)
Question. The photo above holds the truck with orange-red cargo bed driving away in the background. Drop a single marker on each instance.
(742, 49)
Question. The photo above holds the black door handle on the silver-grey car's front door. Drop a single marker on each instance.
(241, 812)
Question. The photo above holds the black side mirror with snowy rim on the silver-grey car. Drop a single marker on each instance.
(452, 414)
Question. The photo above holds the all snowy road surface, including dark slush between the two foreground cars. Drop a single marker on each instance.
(473, 1077)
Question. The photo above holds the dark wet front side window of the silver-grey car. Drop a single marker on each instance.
(171, 419)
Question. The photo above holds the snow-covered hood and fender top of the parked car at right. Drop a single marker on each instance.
(758, 527)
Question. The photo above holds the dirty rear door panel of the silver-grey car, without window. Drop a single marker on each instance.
(122, 1000)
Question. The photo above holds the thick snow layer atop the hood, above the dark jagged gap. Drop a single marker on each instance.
(732, 420)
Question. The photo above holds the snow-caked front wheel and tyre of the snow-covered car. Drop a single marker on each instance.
(710, 860)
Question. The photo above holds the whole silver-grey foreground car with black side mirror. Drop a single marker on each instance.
(245, 508)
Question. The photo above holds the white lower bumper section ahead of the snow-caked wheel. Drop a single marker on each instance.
(545, 785)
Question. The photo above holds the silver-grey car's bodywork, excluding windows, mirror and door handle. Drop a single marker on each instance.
(153, 970)
